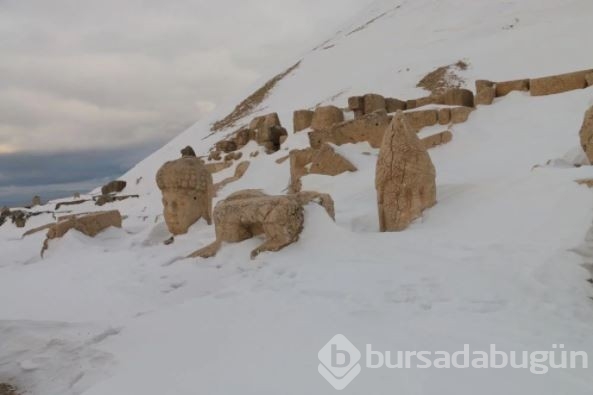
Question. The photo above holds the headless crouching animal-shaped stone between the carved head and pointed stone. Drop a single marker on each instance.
(249, 213)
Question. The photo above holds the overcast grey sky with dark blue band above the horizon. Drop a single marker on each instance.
(87, 88)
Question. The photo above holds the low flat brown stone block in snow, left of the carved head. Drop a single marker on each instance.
(89, 224)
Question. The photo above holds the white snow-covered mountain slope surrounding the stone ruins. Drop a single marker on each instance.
(495, 261)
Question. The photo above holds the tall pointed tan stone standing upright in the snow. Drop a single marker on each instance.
(405, 177)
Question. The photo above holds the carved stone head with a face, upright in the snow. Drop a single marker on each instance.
(187, 191)
